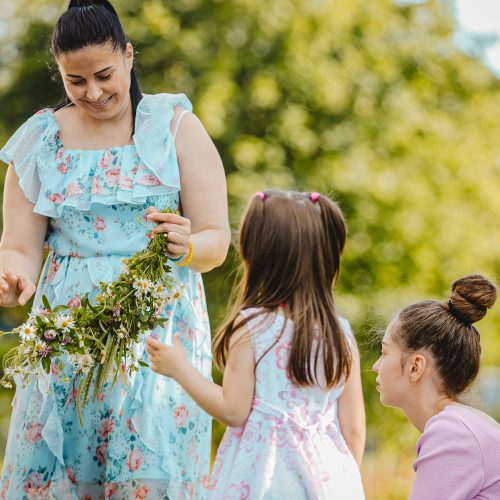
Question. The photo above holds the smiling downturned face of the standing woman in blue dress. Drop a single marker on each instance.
(97, 79)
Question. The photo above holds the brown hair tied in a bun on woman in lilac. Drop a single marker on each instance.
(445, 330)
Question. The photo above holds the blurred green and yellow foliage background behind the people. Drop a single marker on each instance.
(384, 105)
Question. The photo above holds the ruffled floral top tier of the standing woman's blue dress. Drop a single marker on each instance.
(53, 177)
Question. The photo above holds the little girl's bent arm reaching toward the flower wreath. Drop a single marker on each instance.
(229, 404)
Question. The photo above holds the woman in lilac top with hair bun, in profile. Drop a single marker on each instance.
(430, 356)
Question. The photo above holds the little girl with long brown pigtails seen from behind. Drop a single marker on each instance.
(291, 394)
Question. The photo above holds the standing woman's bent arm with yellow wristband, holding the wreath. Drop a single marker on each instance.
(203, 199)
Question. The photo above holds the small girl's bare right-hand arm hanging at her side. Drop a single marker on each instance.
(351, 410)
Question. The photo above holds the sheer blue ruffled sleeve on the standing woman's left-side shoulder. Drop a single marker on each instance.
(23, 150)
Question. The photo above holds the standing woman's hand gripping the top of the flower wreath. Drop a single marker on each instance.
(177, 230)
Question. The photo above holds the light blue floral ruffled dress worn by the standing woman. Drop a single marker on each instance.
(147, 440)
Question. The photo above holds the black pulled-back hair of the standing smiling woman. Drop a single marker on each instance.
(92, 22)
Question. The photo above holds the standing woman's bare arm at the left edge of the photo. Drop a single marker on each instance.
(21, 246)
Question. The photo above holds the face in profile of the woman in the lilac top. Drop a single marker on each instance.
(393, 381)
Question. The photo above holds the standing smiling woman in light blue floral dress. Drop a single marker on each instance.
(79, 177)
